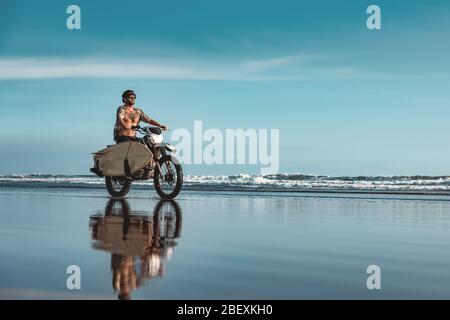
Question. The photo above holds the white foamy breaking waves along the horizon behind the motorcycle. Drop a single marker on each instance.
(245, 182)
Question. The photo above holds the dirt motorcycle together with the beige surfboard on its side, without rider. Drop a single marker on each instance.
(145, 159)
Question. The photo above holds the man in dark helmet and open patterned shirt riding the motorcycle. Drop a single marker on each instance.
(128, 116)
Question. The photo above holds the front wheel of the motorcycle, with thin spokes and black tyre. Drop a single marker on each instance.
(168, 185)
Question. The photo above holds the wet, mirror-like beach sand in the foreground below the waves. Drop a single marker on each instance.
(222, 245)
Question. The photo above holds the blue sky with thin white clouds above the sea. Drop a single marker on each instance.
(347, 100)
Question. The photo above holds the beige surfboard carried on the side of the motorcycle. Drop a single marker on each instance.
(111, 160)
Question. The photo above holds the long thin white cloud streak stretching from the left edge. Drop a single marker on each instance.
(284, 68)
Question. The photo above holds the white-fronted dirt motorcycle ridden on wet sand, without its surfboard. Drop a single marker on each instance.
(164, 168)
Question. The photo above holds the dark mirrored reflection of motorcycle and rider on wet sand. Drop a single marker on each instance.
(140, 245)
